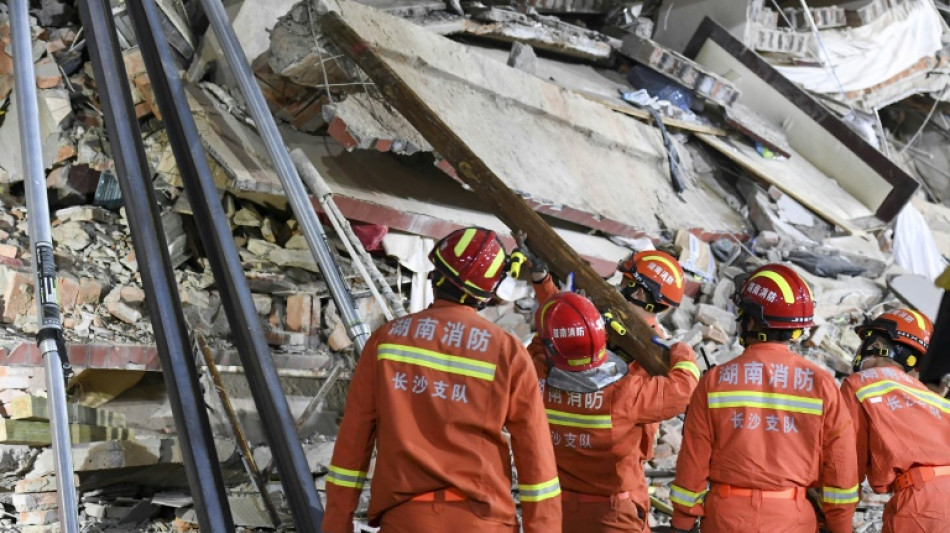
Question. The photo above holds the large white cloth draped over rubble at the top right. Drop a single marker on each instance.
(868, 55)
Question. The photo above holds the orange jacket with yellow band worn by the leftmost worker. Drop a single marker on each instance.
(437, 387)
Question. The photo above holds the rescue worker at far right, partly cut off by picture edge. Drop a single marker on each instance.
(903, 429)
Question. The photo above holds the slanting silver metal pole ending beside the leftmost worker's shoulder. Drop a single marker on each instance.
(296, 195)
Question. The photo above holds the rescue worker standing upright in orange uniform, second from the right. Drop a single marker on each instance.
(767, 425)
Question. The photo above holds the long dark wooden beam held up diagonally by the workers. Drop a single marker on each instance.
(503, 202)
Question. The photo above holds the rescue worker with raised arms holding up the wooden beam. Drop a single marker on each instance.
(597, 408)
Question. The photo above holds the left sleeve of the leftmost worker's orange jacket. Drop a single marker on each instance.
(349, 465)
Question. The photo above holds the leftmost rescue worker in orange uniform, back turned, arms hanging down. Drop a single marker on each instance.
(432, 391)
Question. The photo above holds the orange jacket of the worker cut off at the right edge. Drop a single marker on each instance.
(900, 424)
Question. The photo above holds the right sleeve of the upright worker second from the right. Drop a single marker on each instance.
(840, 490)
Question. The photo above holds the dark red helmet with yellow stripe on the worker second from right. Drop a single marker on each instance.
(777, 297)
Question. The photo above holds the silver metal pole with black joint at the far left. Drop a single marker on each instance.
(50, 335)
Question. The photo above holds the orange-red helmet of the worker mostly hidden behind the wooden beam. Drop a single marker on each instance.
(658, 273)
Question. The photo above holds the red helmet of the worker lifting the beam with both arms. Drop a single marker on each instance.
(572, 332)
